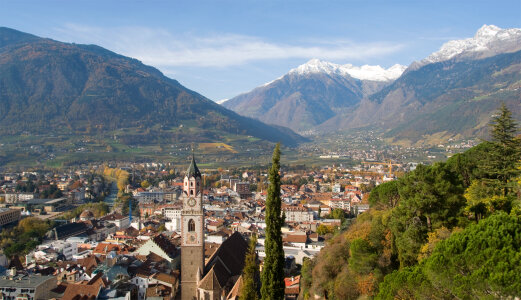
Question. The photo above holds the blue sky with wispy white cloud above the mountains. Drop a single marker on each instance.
(224, 48)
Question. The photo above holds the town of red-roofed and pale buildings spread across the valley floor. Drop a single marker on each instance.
(117, 231)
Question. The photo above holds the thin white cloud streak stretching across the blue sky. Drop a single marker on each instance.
(162, 49)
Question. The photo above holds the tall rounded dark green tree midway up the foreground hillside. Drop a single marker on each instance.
(431, 197)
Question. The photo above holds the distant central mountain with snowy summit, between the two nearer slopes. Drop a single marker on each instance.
(312, 93)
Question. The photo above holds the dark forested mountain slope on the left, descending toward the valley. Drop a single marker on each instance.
(47, 85)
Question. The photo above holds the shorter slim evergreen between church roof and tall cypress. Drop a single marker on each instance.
(250, 274)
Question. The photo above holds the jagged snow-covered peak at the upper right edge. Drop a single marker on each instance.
(489, 40)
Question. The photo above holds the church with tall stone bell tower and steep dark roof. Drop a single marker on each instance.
(218, 278)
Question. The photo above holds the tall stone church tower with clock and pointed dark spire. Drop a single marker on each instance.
(192, 233)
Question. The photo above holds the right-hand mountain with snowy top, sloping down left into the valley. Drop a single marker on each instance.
(451, 94)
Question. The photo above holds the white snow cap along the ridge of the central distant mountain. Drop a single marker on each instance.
(365, 72)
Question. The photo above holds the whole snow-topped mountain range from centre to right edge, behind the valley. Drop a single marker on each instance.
(450, 94)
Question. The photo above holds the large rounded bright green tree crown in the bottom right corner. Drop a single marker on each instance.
(481, 261)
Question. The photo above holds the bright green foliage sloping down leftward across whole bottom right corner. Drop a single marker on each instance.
(481, 262)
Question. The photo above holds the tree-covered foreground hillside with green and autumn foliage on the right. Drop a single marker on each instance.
(445, 231)
